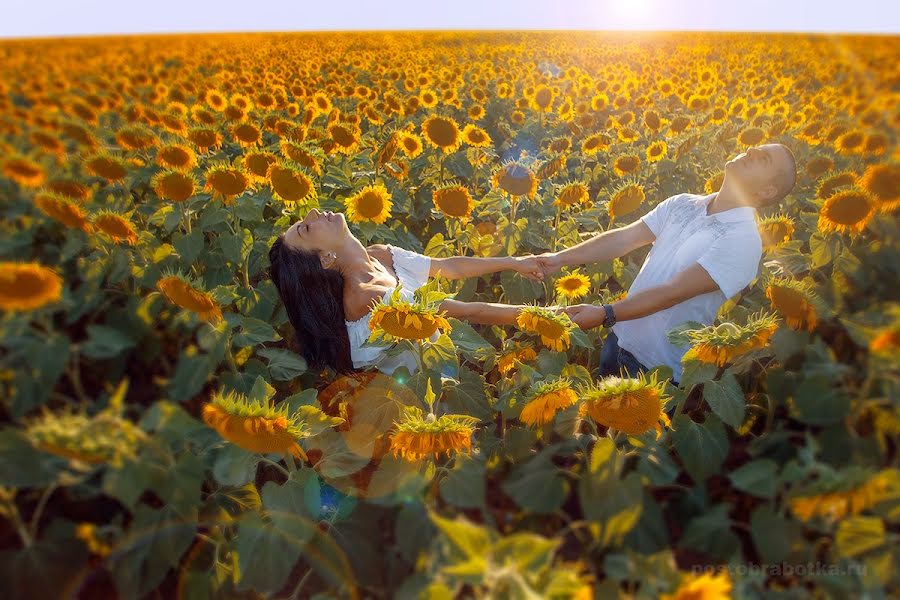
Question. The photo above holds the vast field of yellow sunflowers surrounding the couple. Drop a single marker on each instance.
(161, 436)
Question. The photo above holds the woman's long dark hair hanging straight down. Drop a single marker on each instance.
(313, 297)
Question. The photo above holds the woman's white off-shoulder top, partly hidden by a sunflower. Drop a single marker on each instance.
(412, 273)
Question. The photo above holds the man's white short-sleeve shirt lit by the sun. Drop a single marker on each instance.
(727, 245)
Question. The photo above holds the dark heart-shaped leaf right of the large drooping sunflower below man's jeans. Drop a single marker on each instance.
(701, 446)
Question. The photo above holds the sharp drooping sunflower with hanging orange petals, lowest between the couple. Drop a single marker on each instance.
(419, 436)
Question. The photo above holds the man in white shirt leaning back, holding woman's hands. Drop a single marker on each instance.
(705, 250)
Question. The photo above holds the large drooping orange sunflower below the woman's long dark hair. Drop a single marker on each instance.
(259, 427)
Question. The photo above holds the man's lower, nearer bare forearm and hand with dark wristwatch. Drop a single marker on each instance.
(688, 283)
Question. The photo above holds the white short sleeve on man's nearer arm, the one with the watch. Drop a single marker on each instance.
(733, 260)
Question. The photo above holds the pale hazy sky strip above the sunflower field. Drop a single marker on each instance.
(52, 18)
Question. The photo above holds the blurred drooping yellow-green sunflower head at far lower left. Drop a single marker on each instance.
(105, 437)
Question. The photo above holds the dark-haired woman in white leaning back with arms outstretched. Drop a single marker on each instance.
(328, 282)
